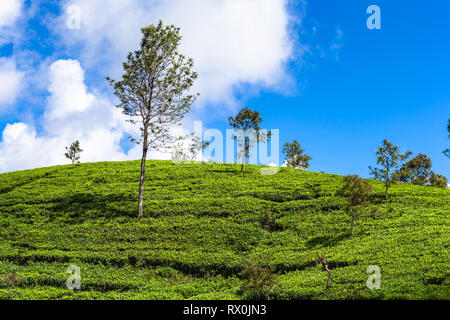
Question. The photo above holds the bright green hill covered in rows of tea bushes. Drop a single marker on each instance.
(204, 223)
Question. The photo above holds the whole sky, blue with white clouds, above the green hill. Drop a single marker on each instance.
(335, 86)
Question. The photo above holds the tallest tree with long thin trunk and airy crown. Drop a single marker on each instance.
(153, 90)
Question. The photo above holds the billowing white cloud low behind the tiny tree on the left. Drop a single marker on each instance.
(72, 113)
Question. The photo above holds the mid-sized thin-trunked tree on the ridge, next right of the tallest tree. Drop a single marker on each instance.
(247, 132)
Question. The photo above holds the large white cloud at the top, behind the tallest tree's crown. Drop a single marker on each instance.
(233, 42)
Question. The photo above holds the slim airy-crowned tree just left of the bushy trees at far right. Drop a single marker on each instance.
(389, 158)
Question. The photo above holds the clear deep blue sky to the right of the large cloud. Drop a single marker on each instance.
(391, 83)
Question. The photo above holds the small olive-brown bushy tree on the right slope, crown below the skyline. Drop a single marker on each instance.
(357, 191)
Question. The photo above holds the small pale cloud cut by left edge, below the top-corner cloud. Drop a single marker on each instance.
(10, 82)
